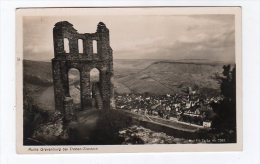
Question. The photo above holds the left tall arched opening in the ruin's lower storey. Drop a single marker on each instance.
(74, 86)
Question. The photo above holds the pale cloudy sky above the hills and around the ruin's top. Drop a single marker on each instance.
(173, 37)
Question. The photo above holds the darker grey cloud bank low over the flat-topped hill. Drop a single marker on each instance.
(218, 46)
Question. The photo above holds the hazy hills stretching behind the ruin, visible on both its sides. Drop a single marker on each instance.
(137, 76)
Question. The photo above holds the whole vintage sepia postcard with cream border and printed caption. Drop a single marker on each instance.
(128, 79)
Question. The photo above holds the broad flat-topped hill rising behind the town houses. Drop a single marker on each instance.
(162, 77)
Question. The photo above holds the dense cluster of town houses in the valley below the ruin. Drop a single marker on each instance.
(189, 108)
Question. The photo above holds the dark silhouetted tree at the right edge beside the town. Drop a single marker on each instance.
(226, 109)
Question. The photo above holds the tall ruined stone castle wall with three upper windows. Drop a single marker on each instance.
(84, 61)
